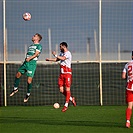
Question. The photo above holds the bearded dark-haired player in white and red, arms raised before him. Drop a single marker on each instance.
(65, 77)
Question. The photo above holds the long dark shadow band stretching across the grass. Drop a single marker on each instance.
(19, 120)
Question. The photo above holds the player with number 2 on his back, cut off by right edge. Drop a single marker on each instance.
(128, 73)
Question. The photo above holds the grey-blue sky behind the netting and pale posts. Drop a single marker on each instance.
(72, 21)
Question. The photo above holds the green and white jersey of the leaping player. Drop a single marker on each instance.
(32, 50)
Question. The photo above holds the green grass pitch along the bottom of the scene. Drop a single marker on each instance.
(80, 119)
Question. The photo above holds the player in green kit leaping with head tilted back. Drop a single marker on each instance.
(29, 65)
